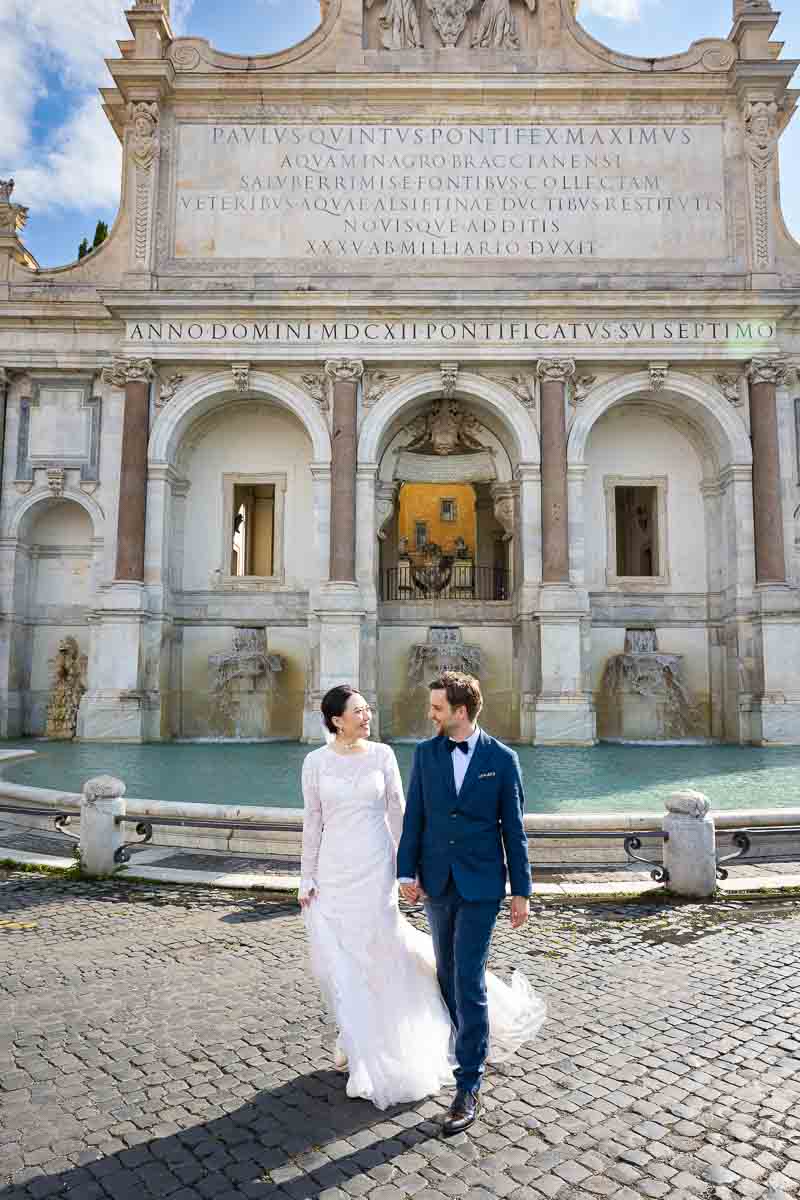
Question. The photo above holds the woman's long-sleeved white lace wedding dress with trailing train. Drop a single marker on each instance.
(377, 973)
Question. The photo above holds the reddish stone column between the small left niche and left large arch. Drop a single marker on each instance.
(135, 376)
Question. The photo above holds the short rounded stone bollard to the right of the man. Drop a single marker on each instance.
(690, 850)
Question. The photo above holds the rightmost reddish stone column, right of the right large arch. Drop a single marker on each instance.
(766, 375)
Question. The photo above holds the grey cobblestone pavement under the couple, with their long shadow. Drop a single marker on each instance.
(167, 1042)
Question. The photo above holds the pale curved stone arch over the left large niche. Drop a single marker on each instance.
(203, 395)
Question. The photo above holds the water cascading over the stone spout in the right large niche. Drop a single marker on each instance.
(643, 697)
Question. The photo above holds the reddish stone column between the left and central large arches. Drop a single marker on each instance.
(346, 375)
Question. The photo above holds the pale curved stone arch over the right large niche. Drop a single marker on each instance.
(700, 407)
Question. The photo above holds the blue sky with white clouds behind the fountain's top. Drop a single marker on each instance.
(55, 139)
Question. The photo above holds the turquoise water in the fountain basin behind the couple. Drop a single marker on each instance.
(601, 779)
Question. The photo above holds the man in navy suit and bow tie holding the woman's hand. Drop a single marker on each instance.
(464, 827)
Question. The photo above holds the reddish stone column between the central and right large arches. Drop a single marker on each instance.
(555, 375)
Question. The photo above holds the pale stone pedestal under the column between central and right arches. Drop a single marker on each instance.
(564, 712)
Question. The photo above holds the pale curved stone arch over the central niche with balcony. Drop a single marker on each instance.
(498, 404)
